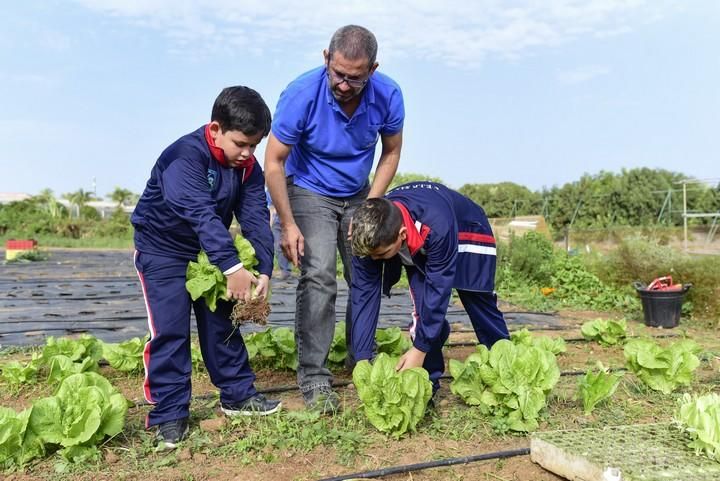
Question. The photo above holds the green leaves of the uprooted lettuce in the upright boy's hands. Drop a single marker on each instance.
(204, 279)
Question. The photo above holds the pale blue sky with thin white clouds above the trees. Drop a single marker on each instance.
(532, 92)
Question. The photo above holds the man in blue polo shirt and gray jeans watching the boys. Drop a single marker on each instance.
(317, 162)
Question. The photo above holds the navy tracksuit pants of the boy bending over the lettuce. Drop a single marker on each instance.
(487, 321)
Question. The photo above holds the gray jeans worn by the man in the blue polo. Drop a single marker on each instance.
(324, 223)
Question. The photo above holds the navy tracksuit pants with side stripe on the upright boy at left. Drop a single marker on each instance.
(167, 359)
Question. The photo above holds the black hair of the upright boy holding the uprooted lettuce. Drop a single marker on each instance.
(243, 109)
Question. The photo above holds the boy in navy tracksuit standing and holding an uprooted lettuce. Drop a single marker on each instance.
(195, 187)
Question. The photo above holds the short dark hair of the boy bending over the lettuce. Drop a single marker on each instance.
(376, 223)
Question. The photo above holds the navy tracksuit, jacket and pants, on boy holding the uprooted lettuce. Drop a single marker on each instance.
(188, 205)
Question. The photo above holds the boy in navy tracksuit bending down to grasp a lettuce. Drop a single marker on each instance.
(444, 241)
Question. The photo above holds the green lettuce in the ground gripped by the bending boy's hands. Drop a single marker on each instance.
(394, 402)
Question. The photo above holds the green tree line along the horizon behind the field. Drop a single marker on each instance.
(632, 197)
